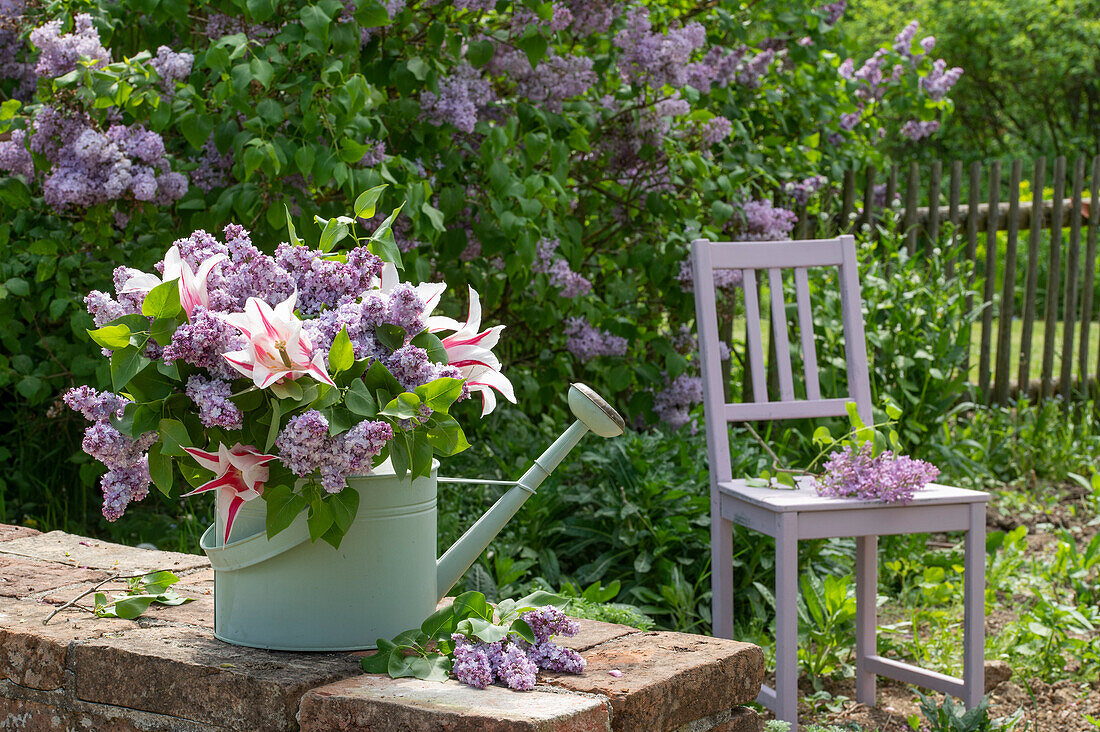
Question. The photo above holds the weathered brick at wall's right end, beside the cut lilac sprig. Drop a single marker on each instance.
(668, 680)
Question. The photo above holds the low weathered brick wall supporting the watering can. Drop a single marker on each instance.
(166, 671)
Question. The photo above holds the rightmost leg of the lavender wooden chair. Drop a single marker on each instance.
(974, 644)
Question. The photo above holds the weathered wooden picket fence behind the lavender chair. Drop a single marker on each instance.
(959, 211)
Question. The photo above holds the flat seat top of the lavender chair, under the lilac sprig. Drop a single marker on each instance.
(807, 499)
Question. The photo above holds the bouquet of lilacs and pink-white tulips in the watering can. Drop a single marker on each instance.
(278, 377)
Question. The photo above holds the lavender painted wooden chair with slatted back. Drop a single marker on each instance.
(790, 516)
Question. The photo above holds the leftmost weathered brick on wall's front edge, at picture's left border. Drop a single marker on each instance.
(32, 654)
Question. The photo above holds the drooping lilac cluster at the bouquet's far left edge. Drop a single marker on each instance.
(127, 478)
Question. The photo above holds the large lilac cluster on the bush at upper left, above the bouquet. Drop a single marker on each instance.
(90, 167)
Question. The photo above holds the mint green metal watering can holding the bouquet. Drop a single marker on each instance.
(288, 594)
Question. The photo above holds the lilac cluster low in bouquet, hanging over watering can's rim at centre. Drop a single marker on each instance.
(305, 447)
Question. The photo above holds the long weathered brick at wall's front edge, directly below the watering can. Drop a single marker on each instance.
(186, 673)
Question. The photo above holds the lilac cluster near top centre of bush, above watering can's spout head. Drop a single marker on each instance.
(556, 80)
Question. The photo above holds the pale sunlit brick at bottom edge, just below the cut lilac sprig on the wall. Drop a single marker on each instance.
(378, 704)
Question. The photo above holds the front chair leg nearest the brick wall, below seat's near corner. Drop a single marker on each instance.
(787, 619)
